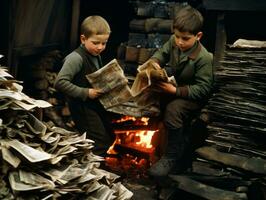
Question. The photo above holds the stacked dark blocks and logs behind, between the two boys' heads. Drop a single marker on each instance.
(150, 28)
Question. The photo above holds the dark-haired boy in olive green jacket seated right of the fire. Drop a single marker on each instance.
(185, 58)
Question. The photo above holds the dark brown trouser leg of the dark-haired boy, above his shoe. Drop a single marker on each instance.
(177, 117)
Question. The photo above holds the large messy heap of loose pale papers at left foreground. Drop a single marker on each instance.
(42, 161)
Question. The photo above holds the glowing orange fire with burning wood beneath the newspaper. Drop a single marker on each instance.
(133, 148)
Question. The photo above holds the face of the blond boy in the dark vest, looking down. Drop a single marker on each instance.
(95, 44)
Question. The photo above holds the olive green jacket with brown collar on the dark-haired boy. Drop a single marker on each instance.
(193, 69)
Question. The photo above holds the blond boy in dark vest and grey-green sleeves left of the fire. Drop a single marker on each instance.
(86, 110)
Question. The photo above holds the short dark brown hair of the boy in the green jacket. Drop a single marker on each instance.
(188, 19)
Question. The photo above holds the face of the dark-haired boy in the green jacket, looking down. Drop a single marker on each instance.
(186, 40)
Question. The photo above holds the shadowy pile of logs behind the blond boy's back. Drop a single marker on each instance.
(39, 83)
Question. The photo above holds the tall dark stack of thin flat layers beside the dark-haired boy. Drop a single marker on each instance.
(232, 164)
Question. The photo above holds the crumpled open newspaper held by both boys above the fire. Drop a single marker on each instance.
(138, 100)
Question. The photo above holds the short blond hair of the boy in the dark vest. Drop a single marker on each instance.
(94, 25)
